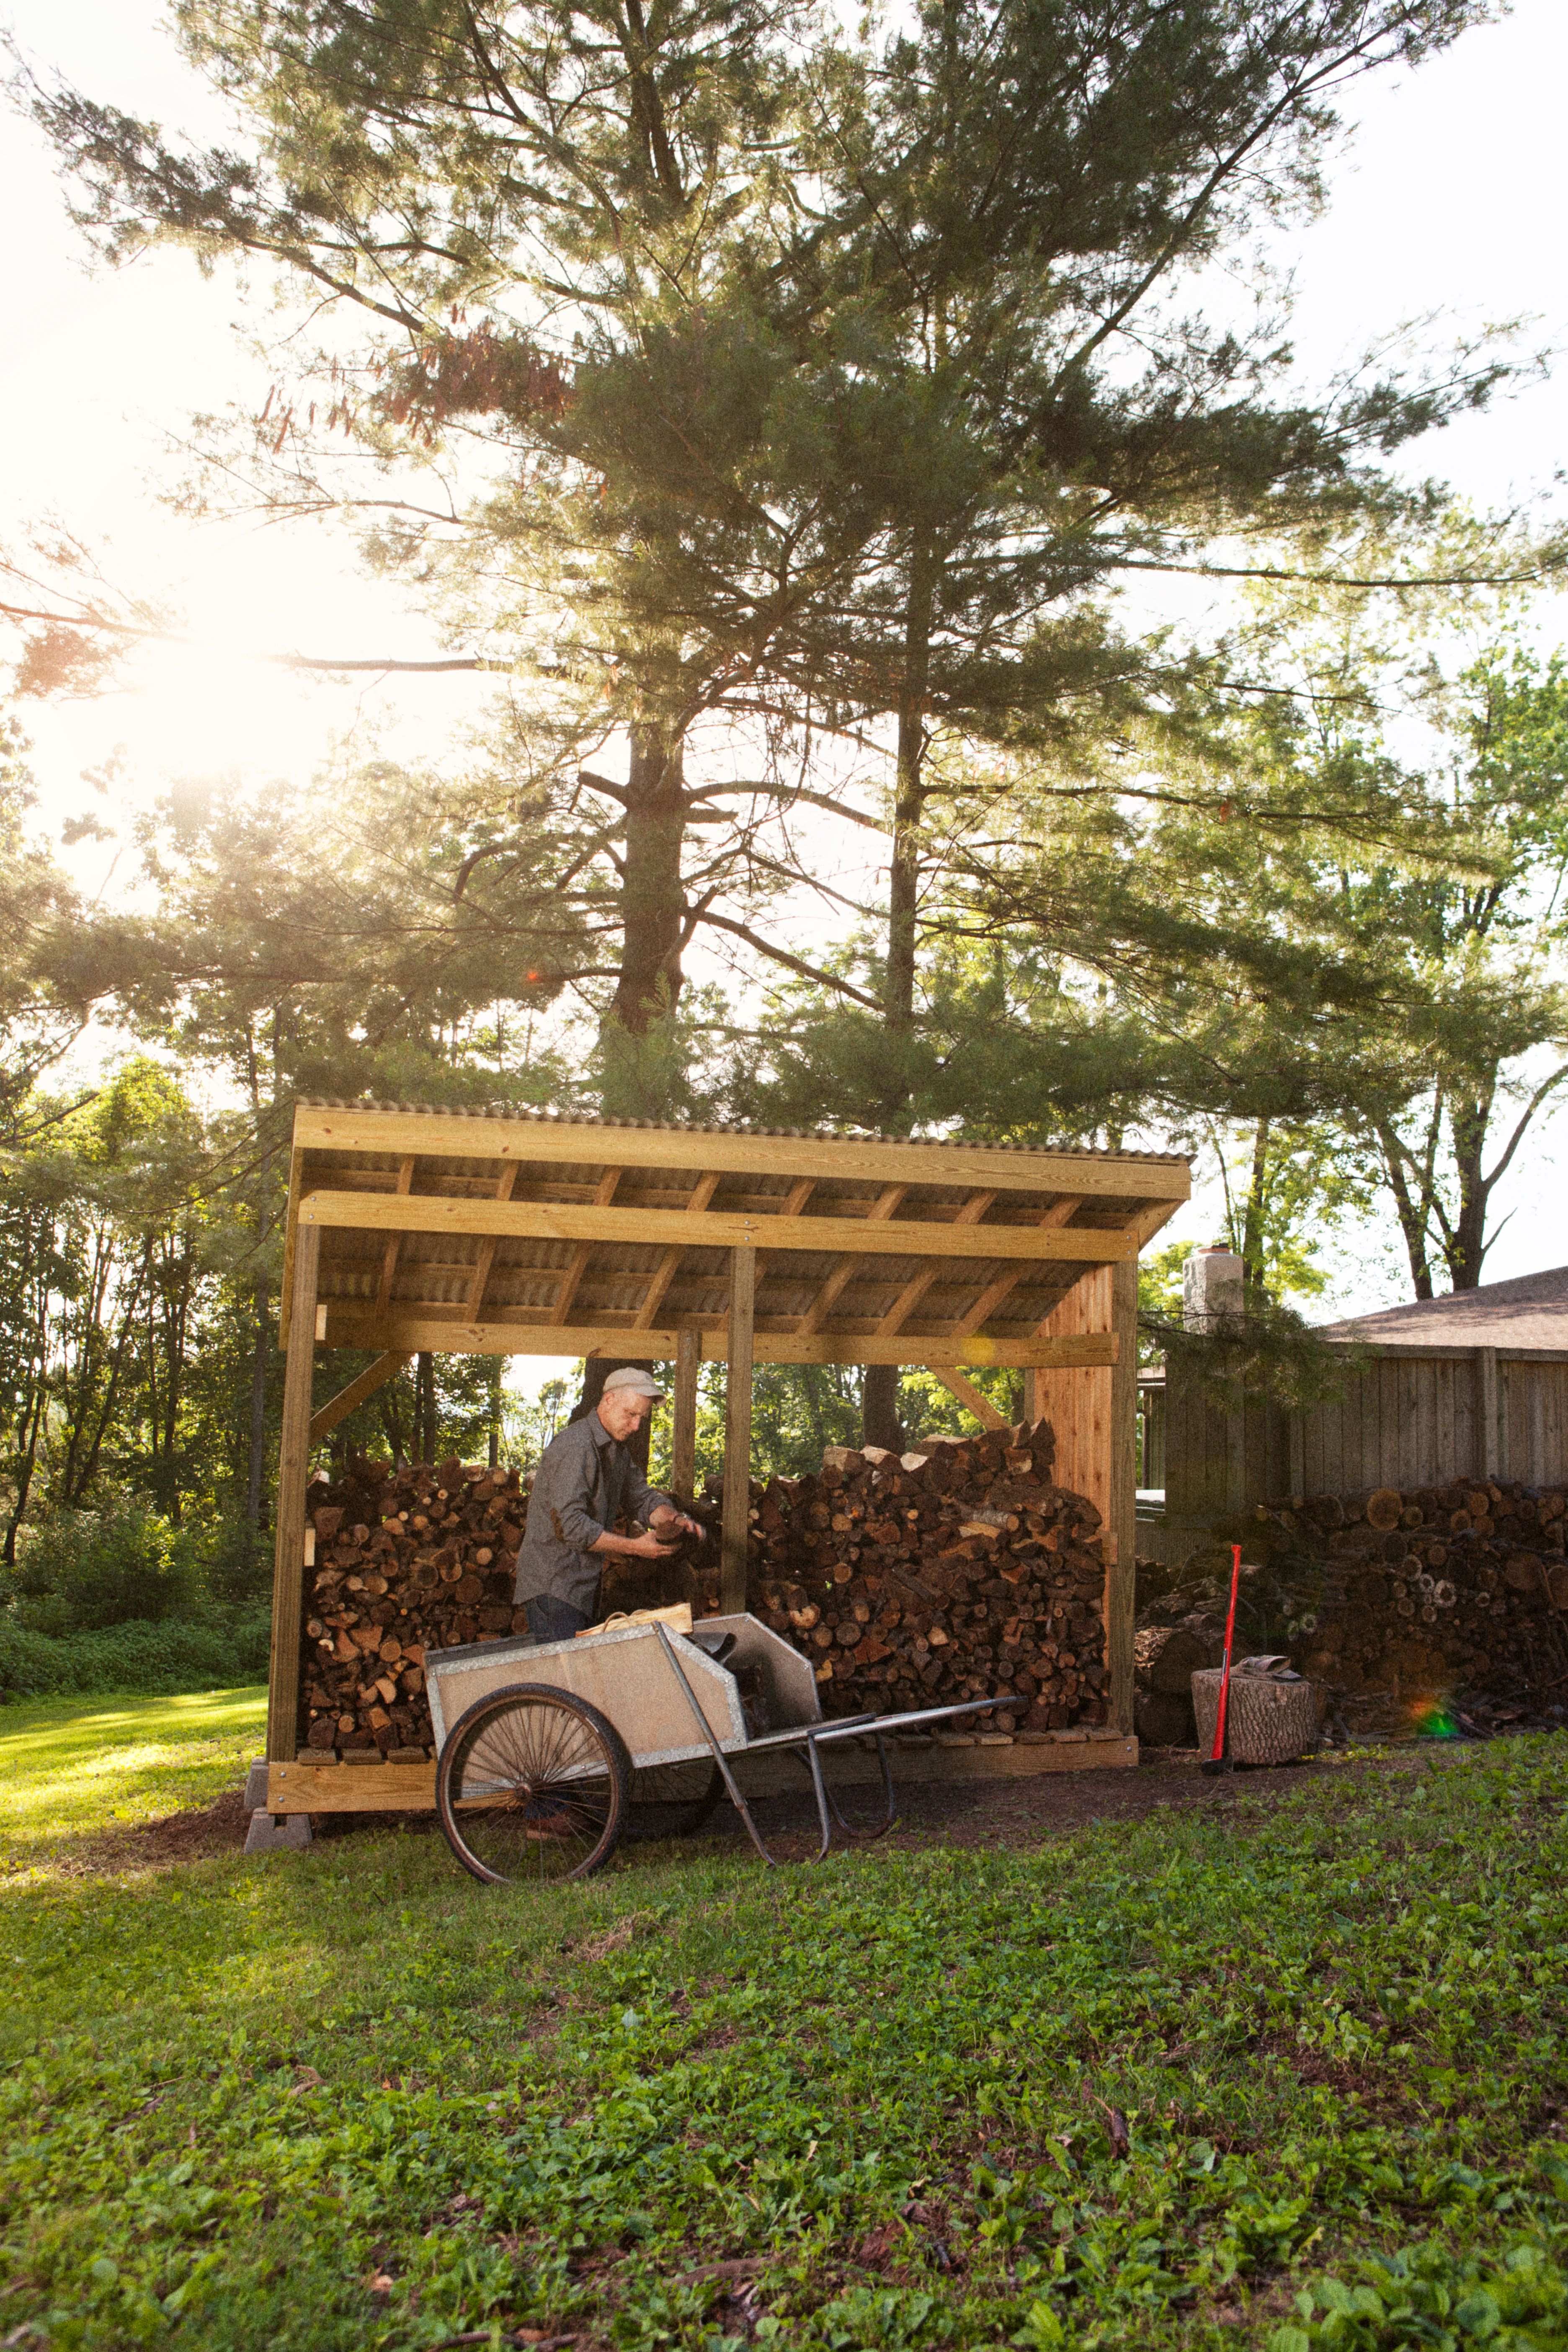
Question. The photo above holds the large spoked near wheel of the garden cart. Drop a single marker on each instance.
(532, 1786)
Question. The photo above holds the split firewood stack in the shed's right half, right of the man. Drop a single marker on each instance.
(920, 1579)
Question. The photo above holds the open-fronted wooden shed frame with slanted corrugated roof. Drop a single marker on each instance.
(427, 1229)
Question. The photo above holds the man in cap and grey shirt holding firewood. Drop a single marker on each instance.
(587, 1481)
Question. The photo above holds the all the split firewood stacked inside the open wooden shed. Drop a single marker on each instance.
(909, 1582)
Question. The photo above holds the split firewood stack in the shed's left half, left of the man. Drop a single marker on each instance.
(403, 1563)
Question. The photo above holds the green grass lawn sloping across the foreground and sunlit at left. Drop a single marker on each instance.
(1278, 2076)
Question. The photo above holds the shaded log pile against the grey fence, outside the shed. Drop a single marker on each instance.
(1388, 1601)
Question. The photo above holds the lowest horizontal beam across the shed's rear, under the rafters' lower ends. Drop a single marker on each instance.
(351, 1325)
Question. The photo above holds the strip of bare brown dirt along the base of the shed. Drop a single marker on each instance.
(1005, 1812)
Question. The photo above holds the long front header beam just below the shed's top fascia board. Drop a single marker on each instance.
(822, 1236)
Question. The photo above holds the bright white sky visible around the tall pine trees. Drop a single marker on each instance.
(1445, 211)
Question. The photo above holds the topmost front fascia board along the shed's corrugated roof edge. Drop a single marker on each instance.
(460, 1137)
